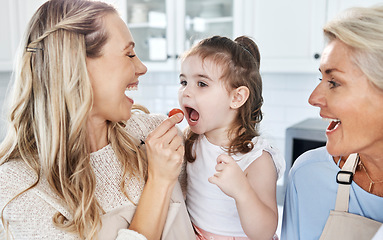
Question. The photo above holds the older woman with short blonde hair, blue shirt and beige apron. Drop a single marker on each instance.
(350, 95)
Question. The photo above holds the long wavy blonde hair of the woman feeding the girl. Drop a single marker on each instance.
(52, 98)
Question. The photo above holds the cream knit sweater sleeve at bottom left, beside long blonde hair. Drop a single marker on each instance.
(28, 216)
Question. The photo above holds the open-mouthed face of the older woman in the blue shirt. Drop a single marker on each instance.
(351, 102)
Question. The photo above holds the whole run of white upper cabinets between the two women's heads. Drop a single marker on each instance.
(289, 33)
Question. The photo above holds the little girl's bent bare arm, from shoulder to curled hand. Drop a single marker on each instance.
(254, 191)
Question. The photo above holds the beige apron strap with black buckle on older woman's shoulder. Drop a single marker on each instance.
(344, 179)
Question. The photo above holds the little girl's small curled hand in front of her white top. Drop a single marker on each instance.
(229, 176)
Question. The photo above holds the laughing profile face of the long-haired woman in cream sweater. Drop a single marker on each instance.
(115, 72)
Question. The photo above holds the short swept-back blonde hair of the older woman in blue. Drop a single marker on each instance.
(361, 28)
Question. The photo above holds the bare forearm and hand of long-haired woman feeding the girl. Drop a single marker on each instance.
(165, 156)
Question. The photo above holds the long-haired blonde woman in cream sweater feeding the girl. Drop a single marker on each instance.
(76, 163)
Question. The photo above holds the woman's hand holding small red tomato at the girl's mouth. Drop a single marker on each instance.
(165, 151)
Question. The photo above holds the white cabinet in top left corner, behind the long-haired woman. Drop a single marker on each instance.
(14, 17)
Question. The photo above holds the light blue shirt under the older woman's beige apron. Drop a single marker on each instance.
(311, 194)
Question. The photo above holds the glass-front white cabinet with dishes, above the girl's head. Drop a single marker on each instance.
(165, 29)
